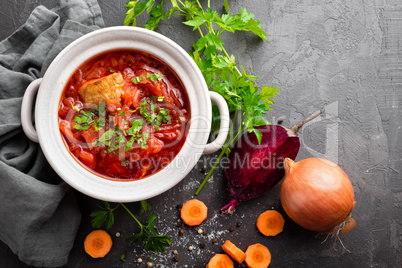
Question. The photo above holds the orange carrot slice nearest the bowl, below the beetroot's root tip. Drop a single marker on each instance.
(193, 212)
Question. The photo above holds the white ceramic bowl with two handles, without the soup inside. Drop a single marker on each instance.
(47, 133)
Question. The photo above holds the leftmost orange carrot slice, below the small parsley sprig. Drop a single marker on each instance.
(98, 243)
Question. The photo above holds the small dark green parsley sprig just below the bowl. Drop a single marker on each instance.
(147, 234)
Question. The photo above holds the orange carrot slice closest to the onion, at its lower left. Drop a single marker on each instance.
(270, 223)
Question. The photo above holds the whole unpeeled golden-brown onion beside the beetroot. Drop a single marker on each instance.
(317, 194)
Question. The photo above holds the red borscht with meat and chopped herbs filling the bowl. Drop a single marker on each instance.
(124, 115)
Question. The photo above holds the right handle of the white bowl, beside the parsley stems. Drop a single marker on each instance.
(224, 124)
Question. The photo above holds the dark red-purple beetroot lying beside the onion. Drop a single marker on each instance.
(255, 168)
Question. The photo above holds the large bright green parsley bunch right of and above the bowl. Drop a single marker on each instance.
(246, 101)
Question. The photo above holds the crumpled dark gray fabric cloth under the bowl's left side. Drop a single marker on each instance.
(39, 216)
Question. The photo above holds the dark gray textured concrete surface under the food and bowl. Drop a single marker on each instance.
(344, 57)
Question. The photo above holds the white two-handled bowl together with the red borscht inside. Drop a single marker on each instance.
(123, 114)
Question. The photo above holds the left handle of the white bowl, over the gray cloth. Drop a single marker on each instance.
(26, 110)
